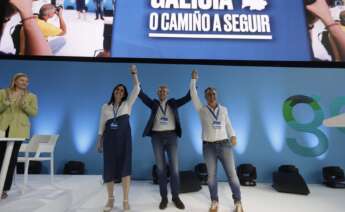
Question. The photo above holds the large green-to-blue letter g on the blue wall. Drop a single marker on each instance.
(311, 127)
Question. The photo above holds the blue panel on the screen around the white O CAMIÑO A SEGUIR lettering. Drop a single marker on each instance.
(288, 28)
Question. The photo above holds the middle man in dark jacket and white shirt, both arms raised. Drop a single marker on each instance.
(164, 126)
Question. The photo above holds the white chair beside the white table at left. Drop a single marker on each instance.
(37, 145)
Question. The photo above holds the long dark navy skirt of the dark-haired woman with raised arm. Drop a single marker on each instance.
(117, 149)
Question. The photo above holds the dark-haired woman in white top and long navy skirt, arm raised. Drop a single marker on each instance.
(115, 140)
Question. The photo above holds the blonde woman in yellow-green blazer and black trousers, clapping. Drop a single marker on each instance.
(17, 105)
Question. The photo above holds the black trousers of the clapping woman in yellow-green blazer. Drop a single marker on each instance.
(13, 161)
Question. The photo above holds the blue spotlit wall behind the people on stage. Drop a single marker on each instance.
(71, 94)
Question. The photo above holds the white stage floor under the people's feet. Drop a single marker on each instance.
(86, 194)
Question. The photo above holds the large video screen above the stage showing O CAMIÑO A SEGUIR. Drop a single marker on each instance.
(258, 30)
